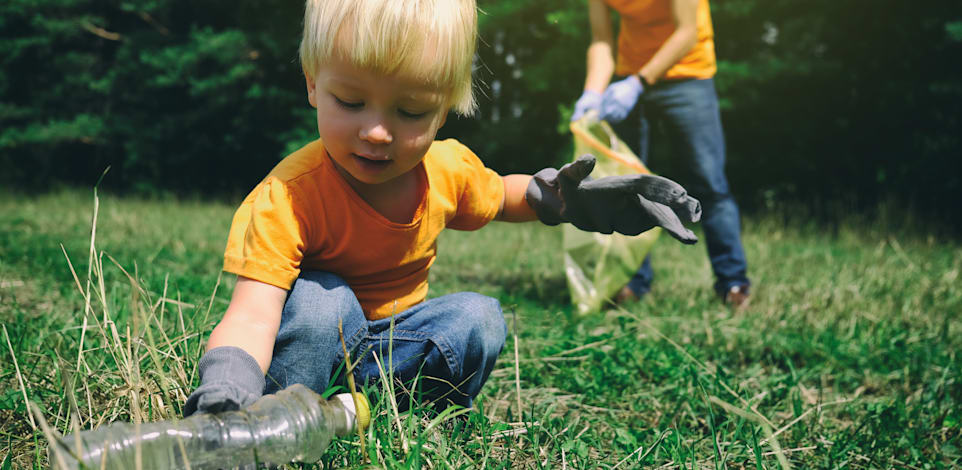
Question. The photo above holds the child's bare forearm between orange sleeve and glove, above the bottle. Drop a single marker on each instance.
(252, 320)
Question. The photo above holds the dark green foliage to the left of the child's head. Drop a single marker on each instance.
(188, 96)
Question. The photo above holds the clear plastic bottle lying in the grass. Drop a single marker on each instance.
(296, 424)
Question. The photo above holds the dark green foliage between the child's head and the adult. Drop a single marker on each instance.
(531, 67)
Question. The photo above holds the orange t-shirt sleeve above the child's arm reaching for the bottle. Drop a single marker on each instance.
(267, 236)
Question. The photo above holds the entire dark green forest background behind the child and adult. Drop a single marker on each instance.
(831, 104)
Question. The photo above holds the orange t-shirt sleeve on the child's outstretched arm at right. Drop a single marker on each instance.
(481, 192)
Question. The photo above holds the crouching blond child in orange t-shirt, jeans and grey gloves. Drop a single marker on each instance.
(345, 229)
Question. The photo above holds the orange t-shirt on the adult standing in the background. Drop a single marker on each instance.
(646, 25)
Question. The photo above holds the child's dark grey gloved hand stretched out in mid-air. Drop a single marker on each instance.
(625, 204)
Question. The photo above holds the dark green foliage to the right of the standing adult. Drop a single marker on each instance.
(855, 100)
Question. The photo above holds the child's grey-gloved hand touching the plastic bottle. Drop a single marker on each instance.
(230, 379)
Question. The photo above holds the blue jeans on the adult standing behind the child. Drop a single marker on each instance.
(688, 113)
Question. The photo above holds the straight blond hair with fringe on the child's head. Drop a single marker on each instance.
(429, 40)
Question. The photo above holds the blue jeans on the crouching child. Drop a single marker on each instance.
(451, 341)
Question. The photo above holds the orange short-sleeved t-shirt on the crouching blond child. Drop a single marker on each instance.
(305, 216)
